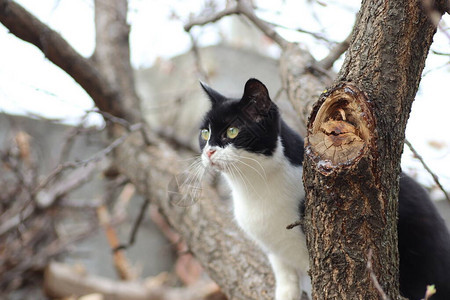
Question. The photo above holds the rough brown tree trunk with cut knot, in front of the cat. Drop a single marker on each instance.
(353, 148)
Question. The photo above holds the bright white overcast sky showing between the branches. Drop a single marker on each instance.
(29, 84)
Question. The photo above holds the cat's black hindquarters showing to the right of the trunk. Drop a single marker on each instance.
(423, 244)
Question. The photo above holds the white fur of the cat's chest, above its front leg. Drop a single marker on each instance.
(266, 195)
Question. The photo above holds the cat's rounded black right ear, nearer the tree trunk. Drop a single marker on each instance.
(256, 101)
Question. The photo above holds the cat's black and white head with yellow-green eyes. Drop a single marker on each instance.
(237, 129)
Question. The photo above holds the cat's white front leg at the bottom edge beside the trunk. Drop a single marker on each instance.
(286, 279)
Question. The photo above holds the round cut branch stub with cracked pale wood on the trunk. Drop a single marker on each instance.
(340, 129)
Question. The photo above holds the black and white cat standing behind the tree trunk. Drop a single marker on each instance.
(261, 159)
